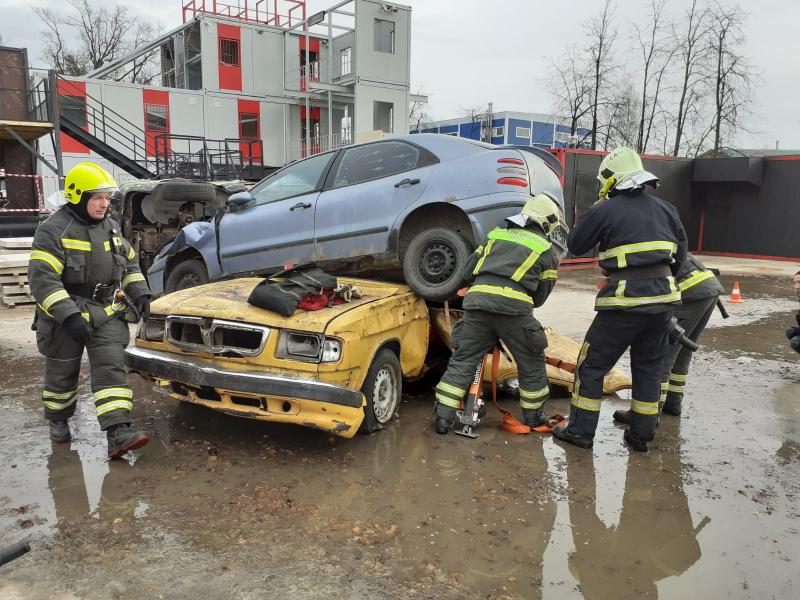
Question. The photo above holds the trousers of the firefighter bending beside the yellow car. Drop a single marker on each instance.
(475, 335)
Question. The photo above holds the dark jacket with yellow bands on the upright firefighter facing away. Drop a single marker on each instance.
(642, 248)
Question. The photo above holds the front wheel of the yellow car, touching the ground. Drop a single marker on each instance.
(383, 387)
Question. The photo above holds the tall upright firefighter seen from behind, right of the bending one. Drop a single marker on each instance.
(642, 246)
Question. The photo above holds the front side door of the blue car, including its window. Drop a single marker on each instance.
(277, 226)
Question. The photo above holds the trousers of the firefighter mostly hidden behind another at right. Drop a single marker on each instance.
(693, 317)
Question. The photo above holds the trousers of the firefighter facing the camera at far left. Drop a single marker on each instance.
(110, 391)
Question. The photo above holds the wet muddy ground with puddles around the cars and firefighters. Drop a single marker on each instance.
(221, 507)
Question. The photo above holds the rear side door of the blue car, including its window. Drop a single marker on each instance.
(368, 187)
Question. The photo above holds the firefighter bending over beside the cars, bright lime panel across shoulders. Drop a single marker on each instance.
(513, 272)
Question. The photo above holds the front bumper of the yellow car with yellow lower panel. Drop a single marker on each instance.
(253, 394)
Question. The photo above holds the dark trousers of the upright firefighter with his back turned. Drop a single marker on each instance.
(610, 334)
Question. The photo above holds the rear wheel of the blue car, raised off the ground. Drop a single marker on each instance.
(434, 262)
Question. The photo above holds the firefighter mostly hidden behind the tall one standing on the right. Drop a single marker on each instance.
(700, 290)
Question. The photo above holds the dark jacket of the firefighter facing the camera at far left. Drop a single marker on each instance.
(70, 257)
